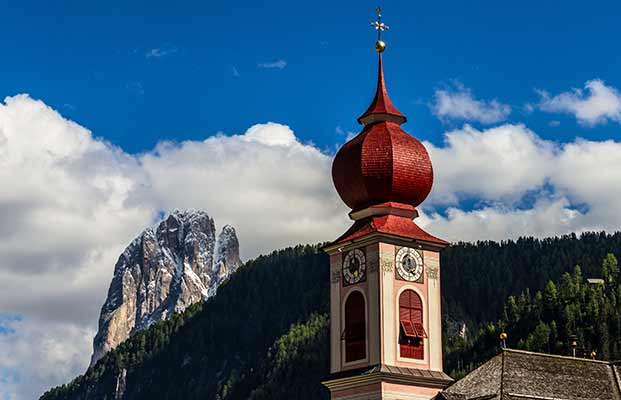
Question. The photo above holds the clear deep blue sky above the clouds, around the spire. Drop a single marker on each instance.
(135, 74)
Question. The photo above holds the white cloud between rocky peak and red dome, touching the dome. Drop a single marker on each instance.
(275, 190)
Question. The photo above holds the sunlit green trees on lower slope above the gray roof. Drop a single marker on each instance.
(572, 309)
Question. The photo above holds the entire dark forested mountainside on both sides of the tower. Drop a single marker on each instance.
(264, 334)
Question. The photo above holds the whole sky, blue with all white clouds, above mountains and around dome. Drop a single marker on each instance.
(519, 106)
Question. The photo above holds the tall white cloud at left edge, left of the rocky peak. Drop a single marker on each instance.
(65, 216)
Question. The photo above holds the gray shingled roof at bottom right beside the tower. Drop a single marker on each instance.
(522, 375)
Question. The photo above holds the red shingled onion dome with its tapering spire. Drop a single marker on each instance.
(383, 164)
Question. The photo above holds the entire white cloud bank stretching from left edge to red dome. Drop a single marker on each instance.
(71, 202)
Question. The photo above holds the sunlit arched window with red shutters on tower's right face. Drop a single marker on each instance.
(411, 330)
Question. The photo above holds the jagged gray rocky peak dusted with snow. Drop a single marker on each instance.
(163, 271)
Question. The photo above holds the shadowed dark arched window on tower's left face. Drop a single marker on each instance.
(354, 333)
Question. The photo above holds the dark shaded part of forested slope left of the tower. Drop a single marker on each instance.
(204, 352)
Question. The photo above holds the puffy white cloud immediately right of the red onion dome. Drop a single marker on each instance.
(500, 163)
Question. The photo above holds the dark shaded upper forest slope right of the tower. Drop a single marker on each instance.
(478, 277)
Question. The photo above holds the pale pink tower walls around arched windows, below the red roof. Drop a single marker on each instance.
(381, 291)
